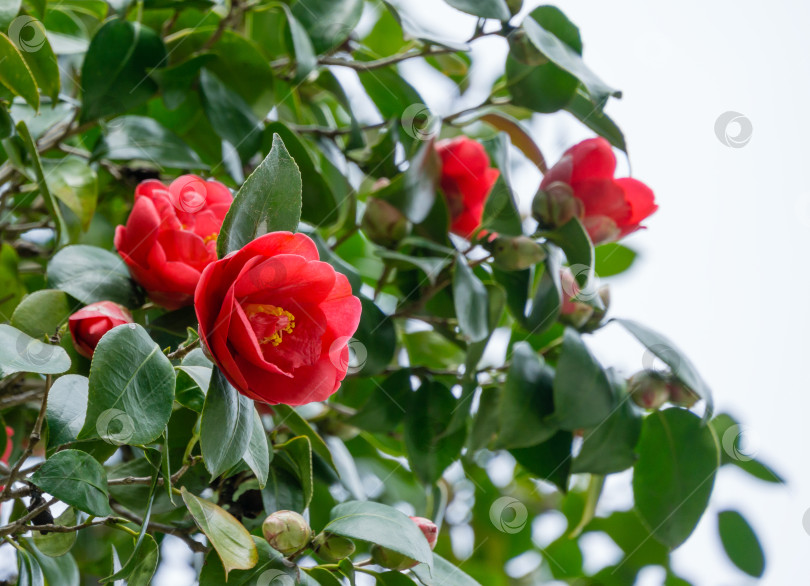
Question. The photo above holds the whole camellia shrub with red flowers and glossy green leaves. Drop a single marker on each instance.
(257, 298)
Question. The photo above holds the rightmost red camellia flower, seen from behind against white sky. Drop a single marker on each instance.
(609, 208)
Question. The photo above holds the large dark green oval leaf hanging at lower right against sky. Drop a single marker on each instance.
(674, 475)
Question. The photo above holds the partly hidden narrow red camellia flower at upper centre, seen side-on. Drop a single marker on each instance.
(466, 181)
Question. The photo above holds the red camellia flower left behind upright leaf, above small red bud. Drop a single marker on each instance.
(171, 234)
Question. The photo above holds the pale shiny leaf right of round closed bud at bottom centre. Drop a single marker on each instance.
(380, 524)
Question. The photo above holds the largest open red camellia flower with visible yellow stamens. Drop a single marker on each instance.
(277, 321)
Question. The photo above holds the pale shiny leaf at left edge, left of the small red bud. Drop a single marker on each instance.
(22, 353)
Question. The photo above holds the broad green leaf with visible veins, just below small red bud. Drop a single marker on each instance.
(131, 389)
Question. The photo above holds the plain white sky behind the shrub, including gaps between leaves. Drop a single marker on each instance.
(723, 263)
